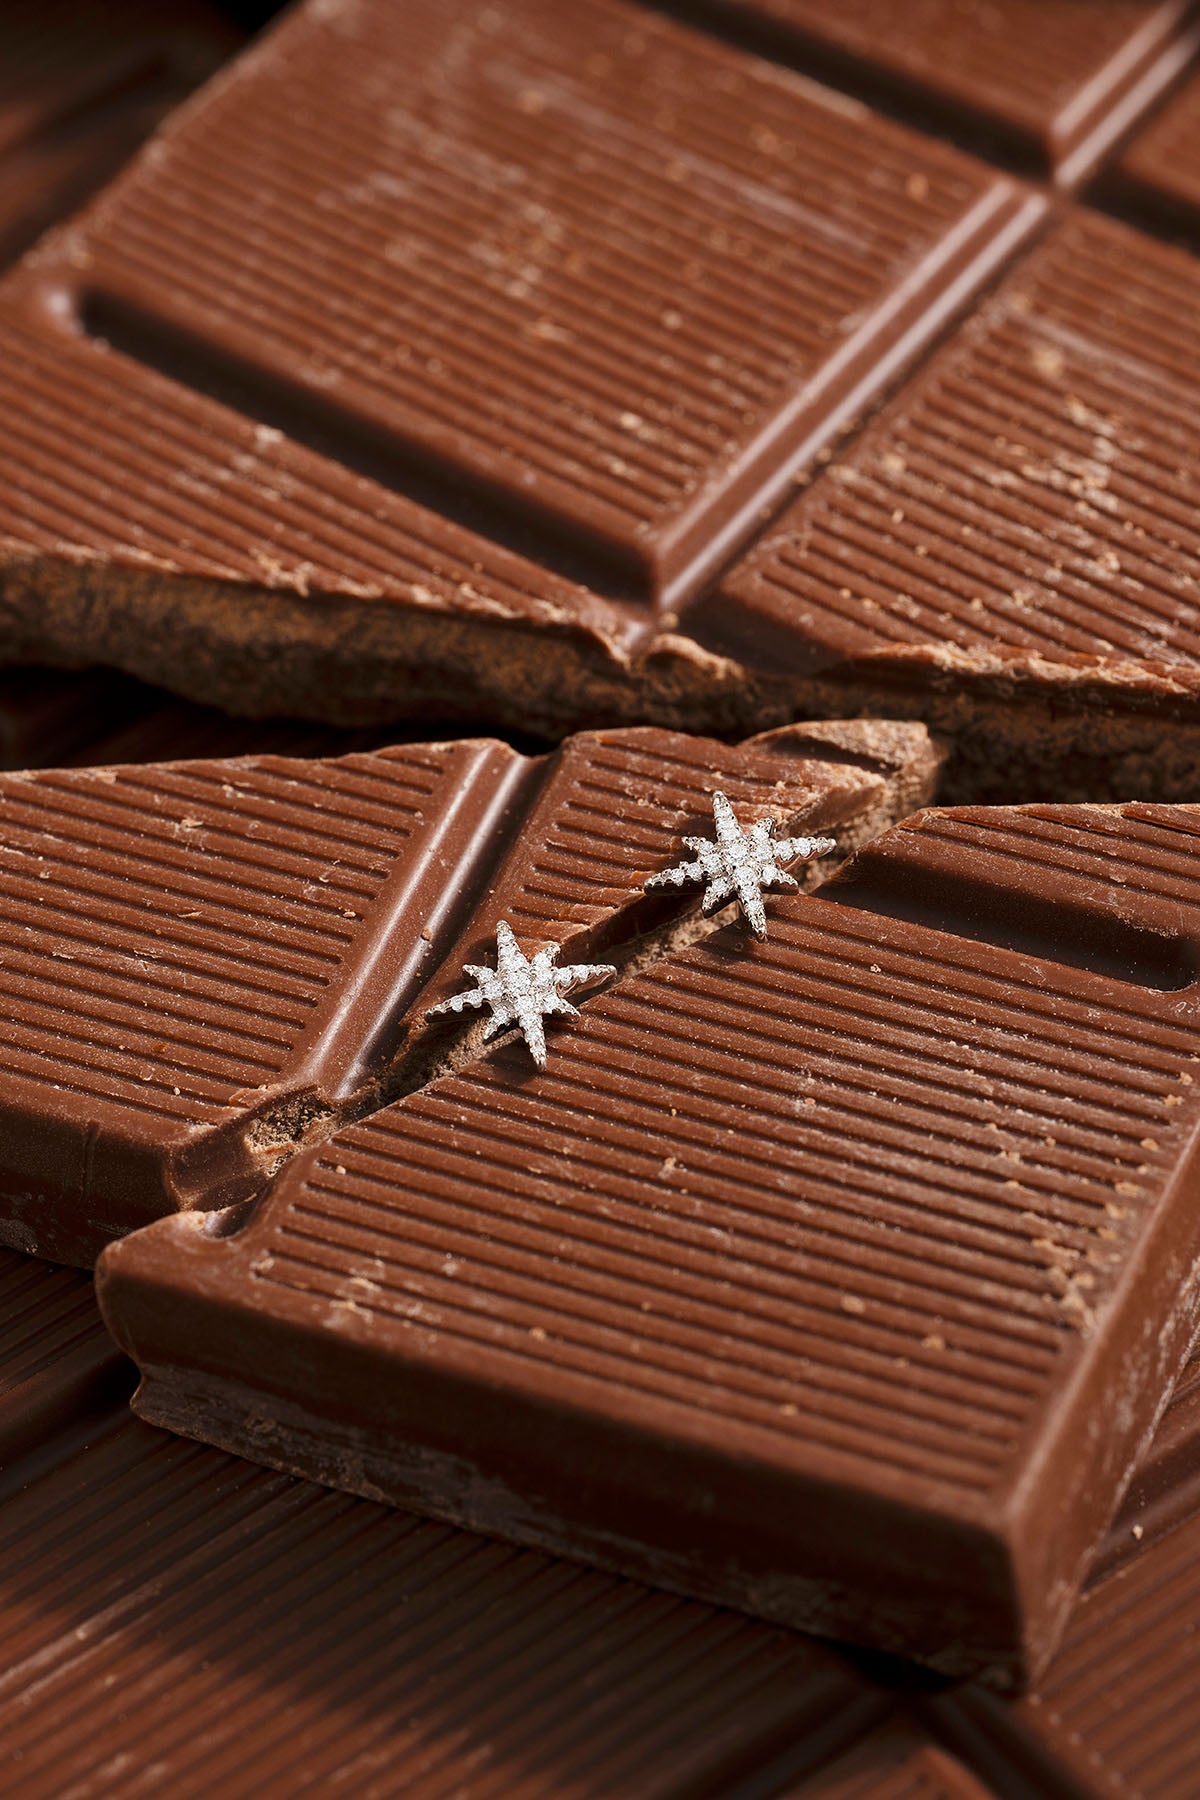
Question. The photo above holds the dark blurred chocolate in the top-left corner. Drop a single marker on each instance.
(82, 84)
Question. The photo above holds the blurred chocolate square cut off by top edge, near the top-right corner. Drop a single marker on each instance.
(1048, 84)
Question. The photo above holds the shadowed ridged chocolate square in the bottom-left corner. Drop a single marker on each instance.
(181, 1623)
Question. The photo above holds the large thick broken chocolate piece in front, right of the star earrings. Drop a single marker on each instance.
(803, 1250)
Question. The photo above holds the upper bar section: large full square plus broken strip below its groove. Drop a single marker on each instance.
(465, 309)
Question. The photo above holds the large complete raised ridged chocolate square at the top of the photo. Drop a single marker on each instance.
(555, 262)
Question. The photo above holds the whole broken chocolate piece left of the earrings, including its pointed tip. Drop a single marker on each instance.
(210, 964)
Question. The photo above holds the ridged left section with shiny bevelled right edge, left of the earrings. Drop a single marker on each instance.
(201, 958)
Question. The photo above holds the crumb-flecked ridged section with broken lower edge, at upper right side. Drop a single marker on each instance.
(1010, 552)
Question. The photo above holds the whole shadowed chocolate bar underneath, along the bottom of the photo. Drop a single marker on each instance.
(456, 1662)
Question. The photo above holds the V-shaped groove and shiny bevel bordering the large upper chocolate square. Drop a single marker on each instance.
(978, 260)
